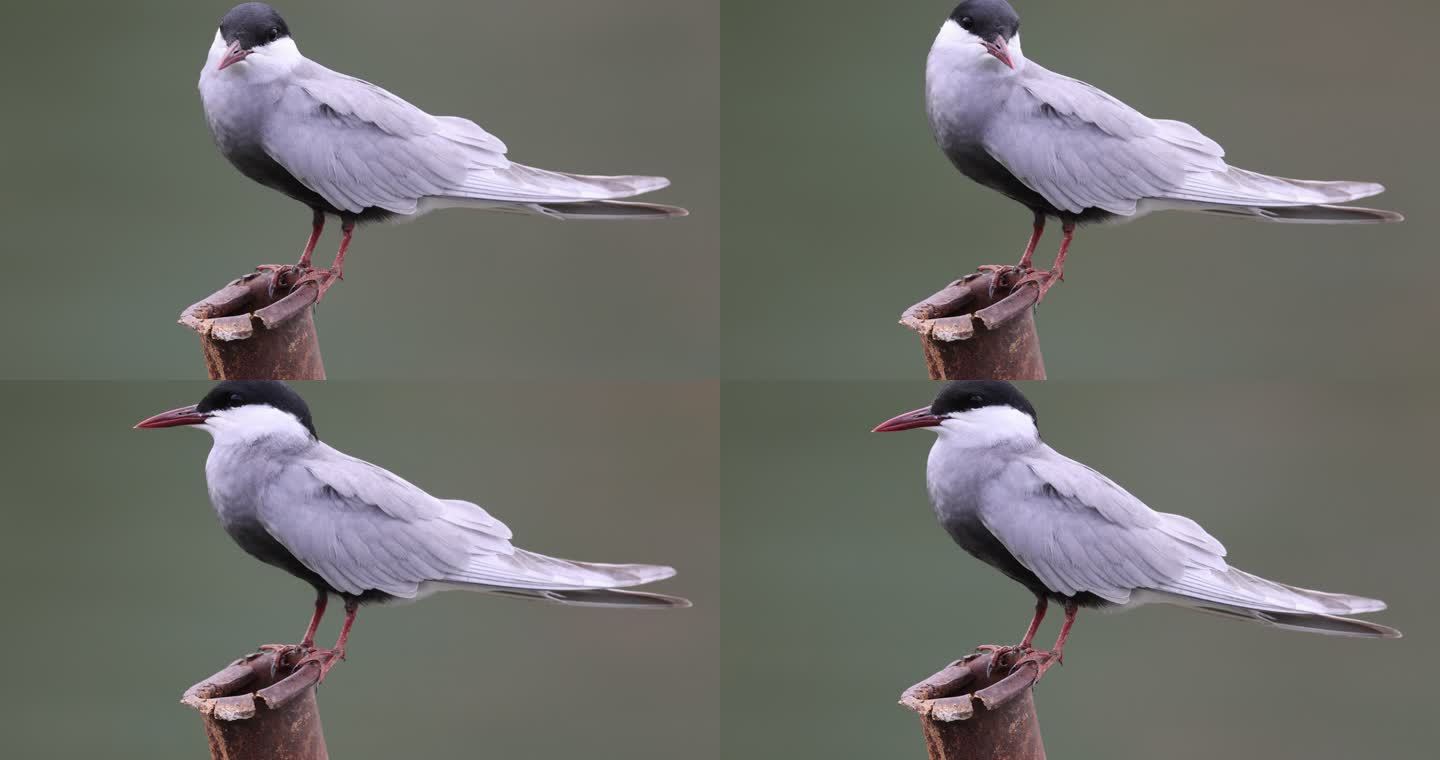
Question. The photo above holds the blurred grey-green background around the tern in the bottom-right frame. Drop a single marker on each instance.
(842, 591)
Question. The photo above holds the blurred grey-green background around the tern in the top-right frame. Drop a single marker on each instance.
(843, 212)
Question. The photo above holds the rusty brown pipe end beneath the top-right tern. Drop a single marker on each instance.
(978, 330)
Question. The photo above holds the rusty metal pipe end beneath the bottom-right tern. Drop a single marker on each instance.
(967, 715)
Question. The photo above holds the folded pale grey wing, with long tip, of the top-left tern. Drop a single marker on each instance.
(359, 146)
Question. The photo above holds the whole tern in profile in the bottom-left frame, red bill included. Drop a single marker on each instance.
(359, 532)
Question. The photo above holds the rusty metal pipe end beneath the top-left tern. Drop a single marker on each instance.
(247, 335)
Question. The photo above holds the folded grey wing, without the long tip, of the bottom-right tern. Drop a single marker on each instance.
(1079, 532)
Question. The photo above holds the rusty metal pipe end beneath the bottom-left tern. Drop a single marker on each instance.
(251, 715)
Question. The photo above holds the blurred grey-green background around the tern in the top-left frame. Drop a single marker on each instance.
(120, 212)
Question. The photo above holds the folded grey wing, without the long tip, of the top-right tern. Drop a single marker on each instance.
(1081, 149)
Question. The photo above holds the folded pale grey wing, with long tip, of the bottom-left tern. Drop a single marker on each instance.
(362, 528)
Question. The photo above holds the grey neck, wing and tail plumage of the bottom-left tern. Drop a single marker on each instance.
(364, 530)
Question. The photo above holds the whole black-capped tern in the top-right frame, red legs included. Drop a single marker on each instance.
(1068, 150)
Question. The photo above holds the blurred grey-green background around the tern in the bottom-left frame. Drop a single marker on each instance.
(123, 589)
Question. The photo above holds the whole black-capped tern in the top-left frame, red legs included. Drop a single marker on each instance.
(349, 149)
